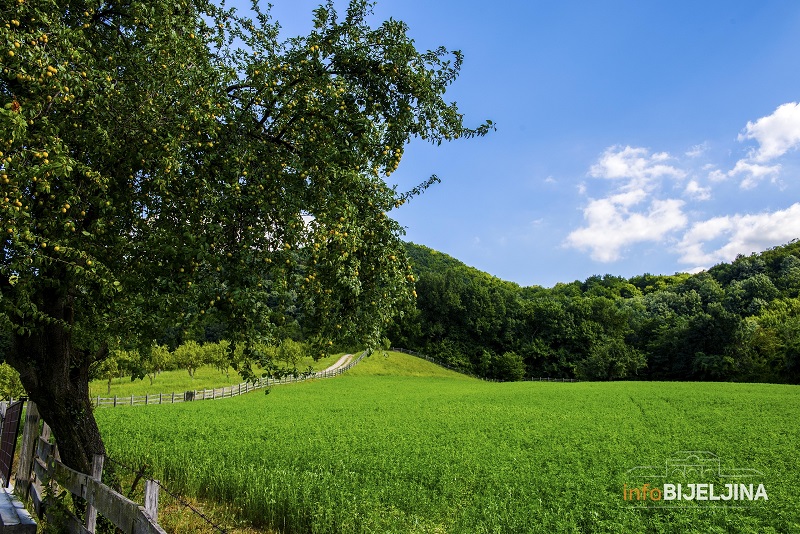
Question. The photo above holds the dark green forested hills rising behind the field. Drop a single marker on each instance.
(738, 321)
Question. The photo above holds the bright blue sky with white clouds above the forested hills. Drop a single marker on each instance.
(633, 136)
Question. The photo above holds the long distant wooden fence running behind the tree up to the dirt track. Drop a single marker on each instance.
(219, 393)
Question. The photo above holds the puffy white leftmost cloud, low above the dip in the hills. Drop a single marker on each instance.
(611, 225)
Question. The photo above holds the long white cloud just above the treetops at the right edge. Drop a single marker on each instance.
(743, 234)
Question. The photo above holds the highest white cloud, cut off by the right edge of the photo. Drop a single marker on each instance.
(776, 134)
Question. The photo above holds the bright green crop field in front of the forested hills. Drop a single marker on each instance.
(400, 445)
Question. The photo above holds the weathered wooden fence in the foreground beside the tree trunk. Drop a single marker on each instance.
(40, 472)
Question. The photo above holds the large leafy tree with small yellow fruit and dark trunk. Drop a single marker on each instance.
(163, 163)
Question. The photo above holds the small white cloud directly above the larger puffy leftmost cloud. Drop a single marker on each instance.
(633, 163)
